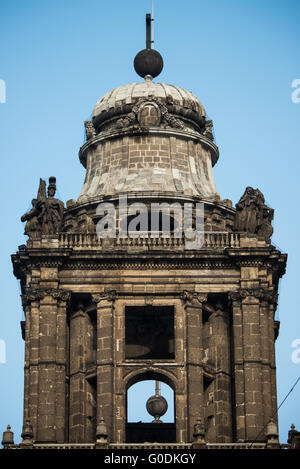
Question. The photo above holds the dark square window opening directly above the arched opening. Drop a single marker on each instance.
(149, 332)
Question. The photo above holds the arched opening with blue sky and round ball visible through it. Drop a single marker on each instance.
(150, 409)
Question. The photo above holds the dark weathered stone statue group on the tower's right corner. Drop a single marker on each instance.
(252, 215)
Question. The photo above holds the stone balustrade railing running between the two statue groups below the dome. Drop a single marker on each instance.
(210, 240)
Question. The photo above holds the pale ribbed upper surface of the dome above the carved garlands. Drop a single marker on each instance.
(129, 94)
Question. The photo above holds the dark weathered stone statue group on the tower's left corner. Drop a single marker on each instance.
(46, 214)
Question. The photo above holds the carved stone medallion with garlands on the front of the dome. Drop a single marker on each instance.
(149, 112)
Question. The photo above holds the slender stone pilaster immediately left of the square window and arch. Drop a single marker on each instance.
(105, 358)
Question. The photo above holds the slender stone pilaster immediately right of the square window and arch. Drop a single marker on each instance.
(193, 308)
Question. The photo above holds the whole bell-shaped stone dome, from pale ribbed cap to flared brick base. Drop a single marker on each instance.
(149, 137)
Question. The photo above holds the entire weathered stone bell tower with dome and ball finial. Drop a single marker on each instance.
(149, 274)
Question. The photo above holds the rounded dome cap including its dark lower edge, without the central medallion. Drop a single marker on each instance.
(120, 101)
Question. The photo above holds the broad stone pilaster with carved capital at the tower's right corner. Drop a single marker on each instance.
(248, 363)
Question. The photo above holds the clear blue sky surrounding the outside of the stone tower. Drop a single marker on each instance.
(239, 57)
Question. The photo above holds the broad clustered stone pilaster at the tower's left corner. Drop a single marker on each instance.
(44, 397)
